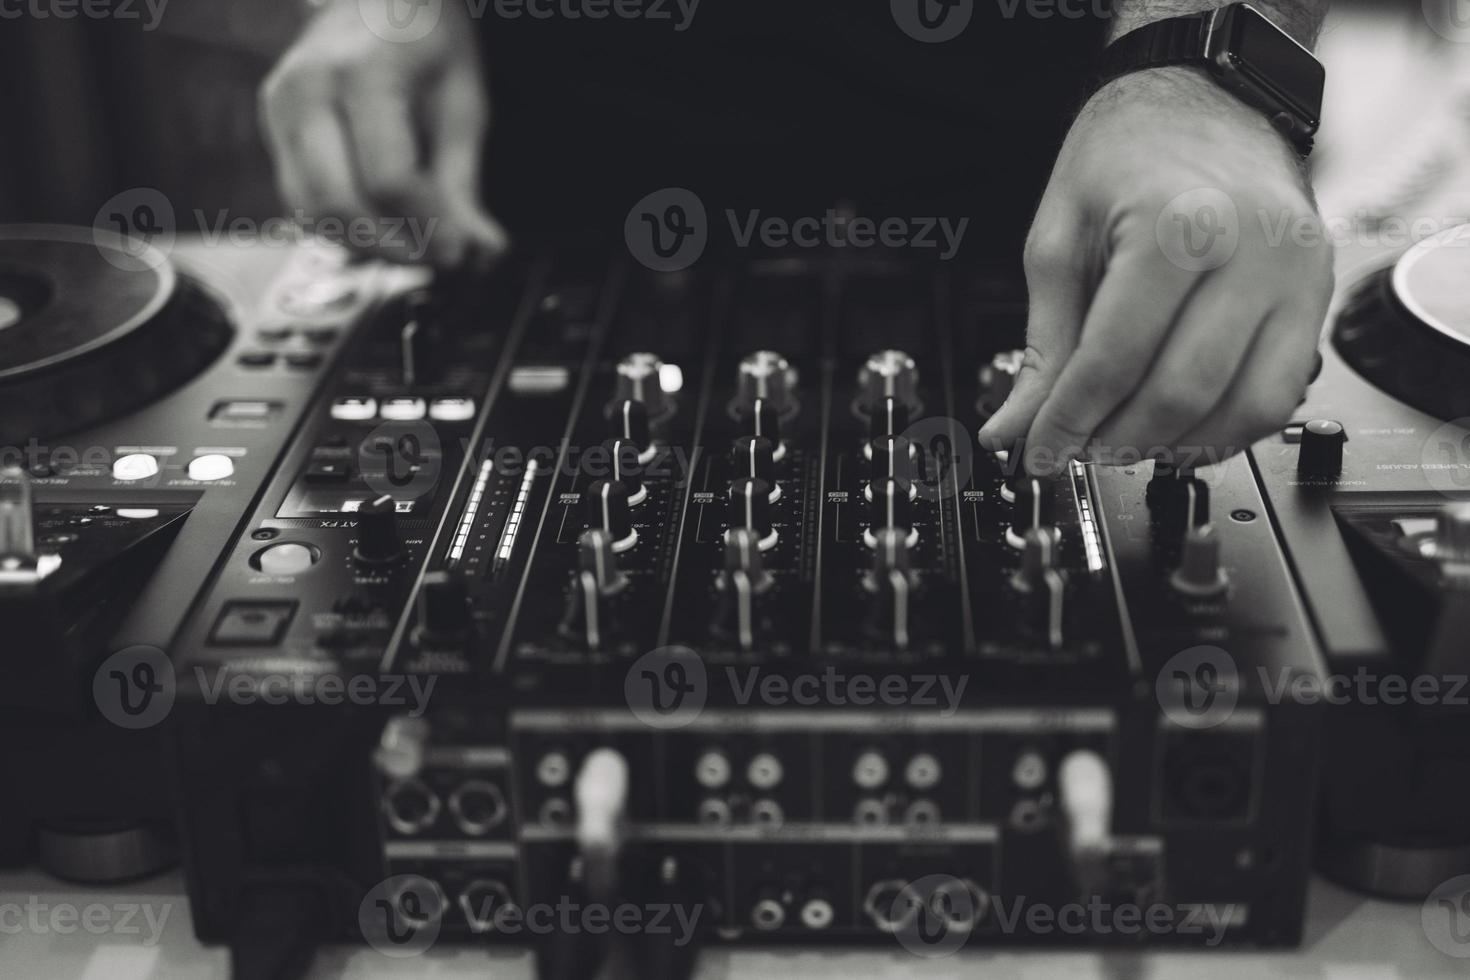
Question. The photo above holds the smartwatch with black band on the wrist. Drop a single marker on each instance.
(1244, 52)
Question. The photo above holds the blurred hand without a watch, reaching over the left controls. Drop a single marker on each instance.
(368, 127)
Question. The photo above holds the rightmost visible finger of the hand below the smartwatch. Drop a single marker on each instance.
(1271, 386)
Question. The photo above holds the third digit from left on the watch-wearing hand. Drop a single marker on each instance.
(1190, 377)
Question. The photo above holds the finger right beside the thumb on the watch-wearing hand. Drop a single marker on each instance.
(1130, 318)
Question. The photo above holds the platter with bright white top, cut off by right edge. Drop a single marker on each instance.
(1408, 327)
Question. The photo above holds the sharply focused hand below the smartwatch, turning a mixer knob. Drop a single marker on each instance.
(1178, 277)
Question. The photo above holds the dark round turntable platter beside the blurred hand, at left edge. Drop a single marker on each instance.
(92, 328)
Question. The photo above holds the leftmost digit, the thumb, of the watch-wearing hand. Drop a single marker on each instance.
(1053, 324)
